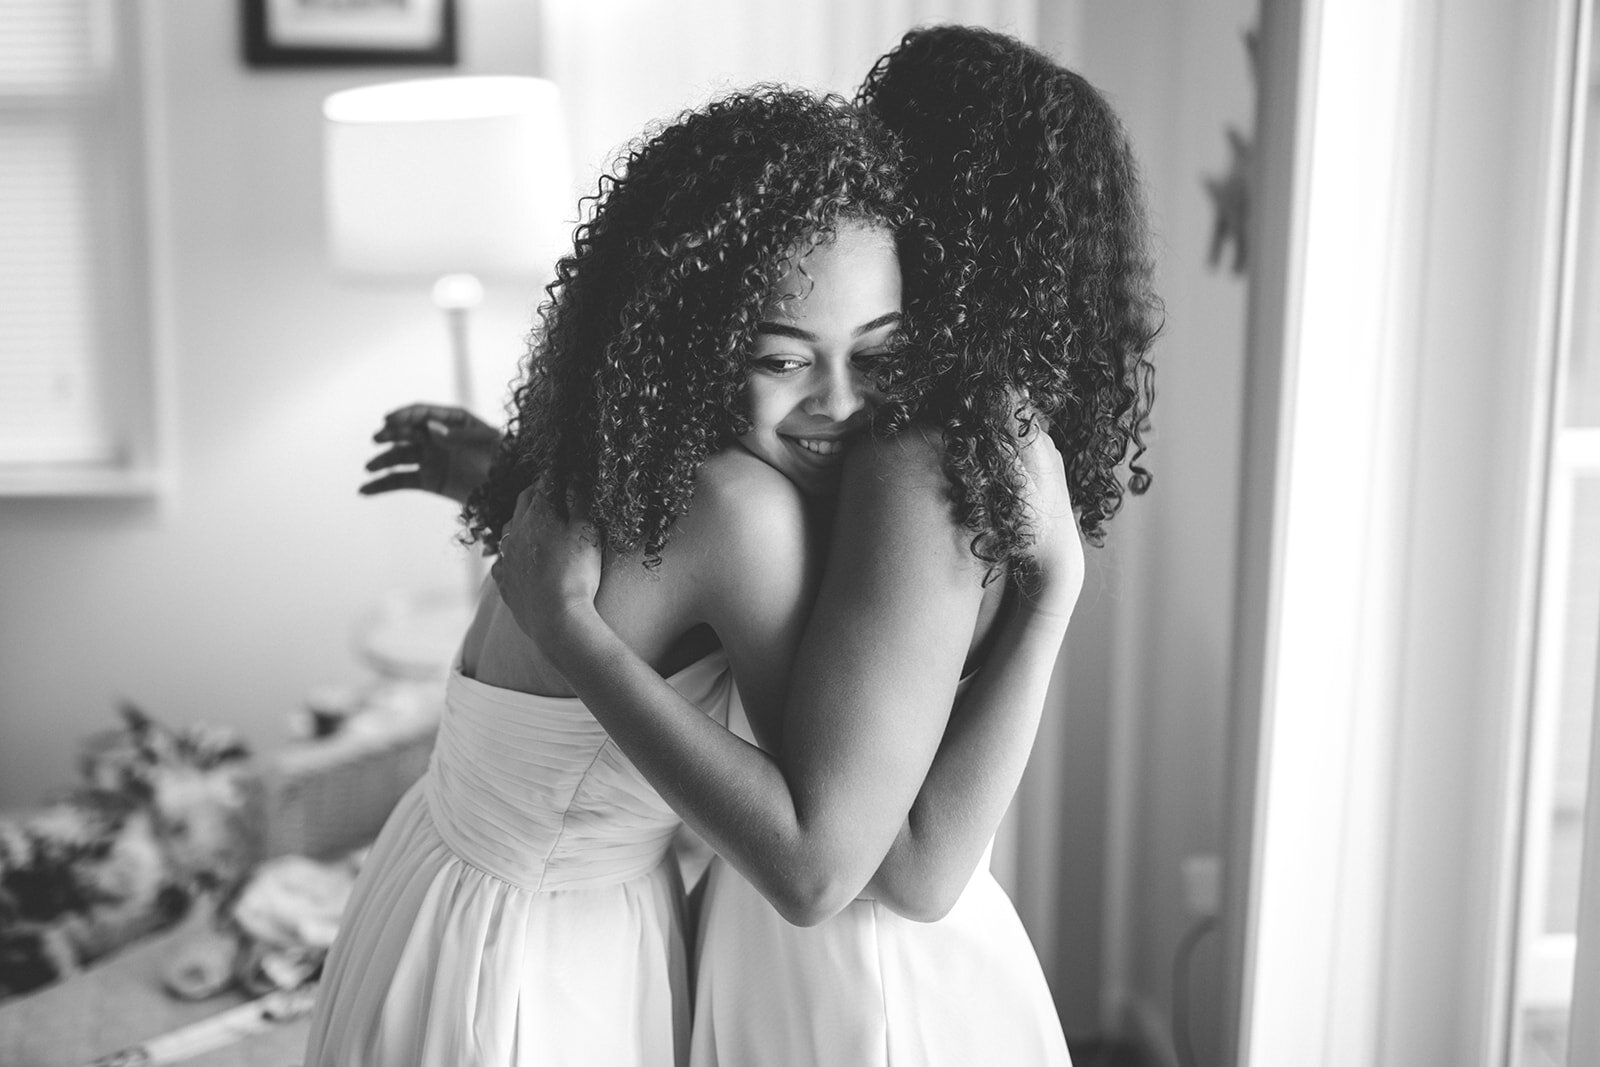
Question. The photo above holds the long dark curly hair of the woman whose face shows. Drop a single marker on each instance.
(638, 367)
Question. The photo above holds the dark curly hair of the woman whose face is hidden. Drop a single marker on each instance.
(1042, 284)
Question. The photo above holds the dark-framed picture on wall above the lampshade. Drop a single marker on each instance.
(350, 33)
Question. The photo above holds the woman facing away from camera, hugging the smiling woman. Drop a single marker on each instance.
(1031, 310)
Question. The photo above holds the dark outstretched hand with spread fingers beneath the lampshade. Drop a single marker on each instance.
(434, 449)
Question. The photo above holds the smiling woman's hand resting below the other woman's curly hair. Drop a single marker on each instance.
(1057, 554)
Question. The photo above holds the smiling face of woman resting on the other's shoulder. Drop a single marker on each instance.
(807, 391)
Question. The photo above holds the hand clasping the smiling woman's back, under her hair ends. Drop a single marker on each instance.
(548, 567)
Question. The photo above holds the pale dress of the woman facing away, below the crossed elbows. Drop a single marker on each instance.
(870, 988)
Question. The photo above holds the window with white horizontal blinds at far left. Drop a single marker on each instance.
(76, 358)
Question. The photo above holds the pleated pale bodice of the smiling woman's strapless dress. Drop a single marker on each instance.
(530, 789)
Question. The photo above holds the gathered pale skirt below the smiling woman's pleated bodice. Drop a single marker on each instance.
(446, 964)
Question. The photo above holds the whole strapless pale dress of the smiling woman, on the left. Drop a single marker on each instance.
(521, 905)
